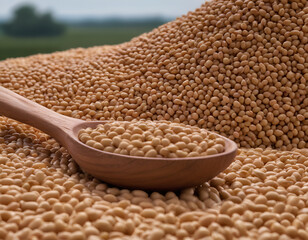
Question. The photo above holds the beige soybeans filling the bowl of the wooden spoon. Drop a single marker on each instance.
(152, 139)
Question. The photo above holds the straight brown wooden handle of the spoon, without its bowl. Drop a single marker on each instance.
(26, 111)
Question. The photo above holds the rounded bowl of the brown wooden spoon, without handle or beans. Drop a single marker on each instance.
(148, 173)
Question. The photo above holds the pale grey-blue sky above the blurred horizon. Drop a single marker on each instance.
(77, 9)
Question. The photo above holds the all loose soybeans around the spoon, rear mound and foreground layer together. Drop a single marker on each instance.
(236, 67)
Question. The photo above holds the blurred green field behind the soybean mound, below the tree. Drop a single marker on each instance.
(74, 37)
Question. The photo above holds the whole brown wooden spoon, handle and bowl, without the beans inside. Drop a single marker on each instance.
(121, 170)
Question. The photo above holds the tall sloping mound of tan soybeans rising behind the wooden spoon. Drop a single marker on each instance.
(239, 68)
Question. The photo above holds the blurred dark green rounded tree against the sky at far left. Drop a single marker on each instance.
(28, 23)
